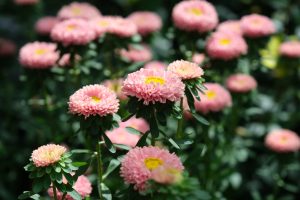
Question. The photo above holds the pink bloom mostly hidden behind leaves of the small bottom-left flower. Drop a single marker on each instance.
(82, 185)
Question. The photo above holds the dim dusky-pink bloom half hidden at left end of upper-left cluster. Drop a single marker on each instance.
(45, 24)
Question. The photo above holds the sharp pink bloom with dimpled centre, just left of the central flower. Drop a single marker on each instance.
(93, 100)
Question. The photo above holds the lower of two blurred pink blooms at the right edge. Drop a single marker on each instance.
(283, 140)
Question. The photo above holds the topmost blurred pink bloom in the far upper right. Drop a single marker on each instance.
(255, 25)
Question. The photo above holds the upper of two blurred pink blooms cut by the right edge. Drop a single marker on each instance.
(290, 49)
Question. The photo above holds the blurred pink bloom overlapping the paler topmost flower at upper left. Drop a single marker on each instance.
(73, 32)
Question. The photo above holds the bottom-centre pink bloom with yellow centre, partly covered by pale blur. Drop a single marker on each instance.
(139, 163)
